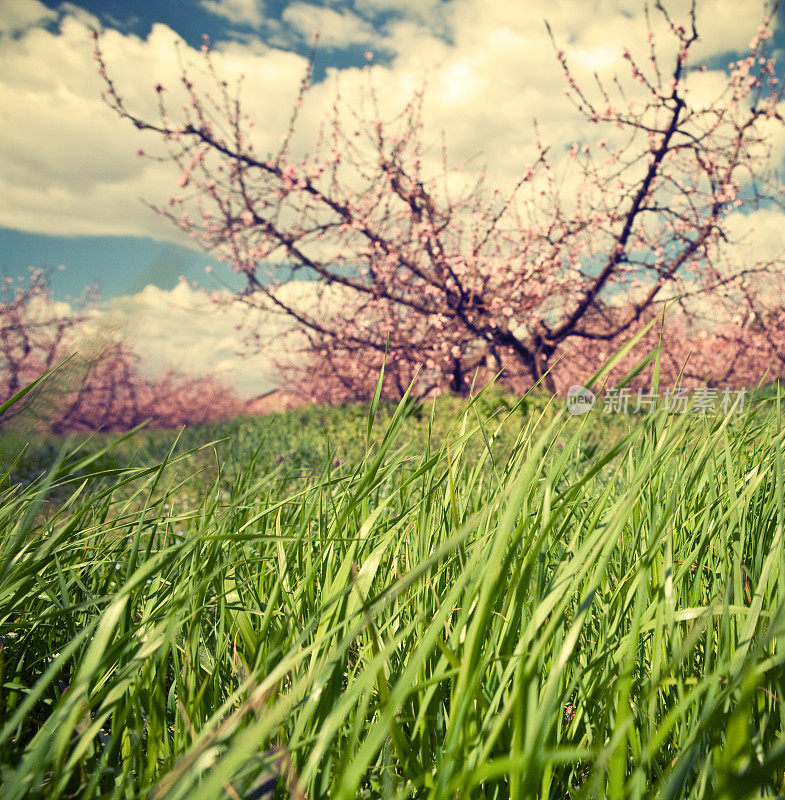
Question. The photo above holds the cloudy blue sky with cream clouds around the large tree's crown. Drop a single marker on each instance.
(71, 185)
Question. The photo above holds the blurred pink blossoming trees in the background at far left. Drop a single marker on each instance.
(102, 386)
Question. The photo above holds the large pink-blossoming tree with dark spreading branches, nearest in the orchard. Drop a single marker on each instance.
(521, 283)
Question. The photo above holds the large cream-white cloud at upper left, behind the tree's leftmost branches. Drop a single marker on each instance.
(68, 165)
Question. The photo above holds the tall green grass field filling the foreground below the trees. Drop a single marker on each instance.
(473, 599)
